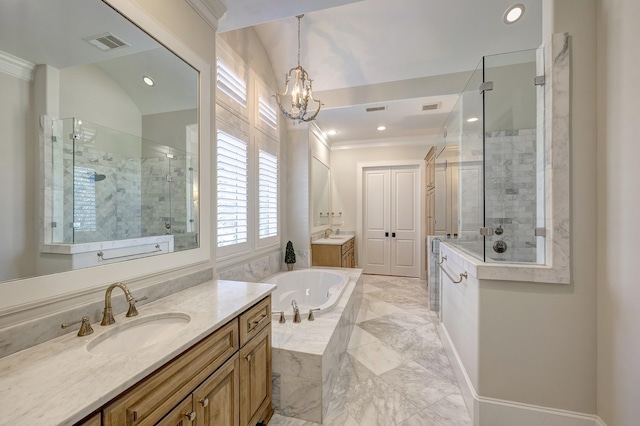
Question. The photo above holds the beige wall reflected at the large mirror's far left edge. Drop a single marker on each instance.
(18, 173)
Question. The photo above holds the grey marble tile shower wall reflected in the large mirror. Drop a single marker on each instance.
(136, 198)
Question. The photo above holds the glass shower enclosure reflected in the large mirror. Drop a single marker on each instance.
(109, 185)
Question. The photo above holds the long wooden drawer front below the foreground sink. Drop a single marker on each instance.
(147, 402)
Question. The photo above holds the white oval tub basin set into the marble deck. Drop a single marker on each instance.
(310, 288)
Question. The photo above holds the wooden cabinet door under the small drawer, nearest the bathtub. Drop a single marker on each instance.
(255, 379)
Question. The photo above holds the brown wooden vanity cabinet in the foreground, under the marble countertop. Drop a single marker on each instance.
(224, 380)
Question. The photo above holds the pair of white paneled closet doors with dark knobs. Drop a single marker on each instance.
(391, 214)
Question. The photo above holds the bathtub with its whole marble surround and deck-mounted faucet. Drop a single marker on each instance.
(306, 356)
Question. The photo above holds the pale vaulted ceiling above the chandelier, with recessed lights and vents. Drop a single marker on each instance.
(372, 52)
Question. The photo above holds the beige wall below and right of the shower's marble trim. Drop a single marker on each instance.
(538, 341)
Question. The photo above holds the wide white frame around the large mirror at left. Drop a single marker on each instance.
(23, 298)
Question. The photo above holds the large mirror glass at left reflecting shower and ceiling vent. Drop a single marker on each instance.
(98, 165)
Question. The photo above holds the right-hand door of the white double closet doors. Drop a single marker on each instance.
(404, 222)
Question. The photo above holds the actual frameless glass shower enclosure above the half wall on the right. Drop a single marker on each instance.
(493, 143)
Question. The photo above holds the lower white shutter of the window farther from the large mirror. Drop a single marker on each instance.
(267, 195)
